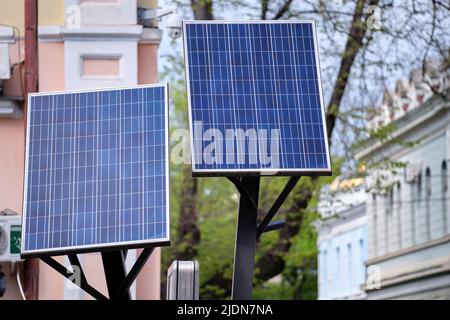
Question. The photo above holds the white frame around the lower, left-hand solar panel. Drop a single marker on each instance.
(86, 248)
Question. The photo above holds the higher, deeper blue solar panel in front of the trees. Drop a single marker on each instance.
(255, 98)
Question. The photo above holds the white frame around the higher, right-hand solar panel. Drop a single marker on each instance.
(261, 171)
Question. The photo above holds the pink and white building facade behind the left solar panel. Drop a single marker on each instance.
(82, 44)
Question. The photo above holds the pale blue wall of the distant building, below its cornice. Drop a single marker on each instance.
(341, 264)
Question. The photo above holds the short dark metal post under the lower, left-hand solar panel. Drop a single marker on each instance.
(115, 274)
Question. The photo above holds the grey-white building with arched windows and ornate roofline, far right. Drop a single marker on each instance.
(408, 217)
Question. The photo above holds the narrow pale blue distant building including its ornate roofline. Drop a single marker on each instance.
(342, 240)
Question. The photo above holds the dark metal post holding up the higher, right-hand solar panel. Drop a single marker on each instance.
(244, 255)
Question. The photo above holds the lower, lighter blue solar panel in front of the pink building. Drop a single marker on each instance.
(96, 172)
